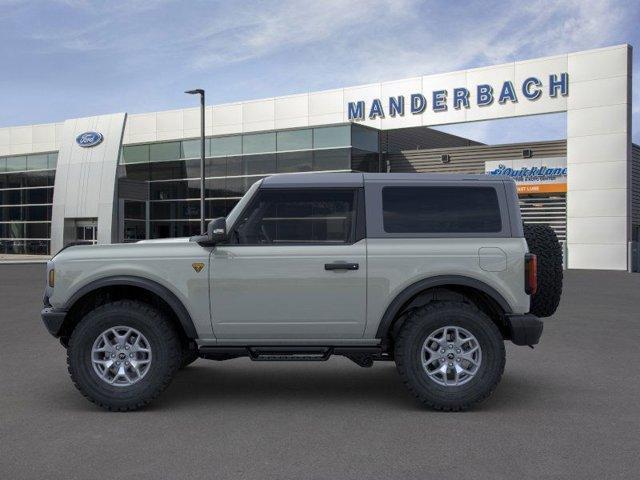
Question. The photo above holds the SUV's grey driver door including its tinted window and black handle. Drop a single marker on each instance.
(295, 268)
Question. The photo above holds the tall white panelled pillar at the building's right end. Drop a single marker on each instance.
(599, 158)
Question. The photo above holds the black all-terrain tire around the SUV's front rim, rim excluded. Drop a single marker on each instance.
(165, 348)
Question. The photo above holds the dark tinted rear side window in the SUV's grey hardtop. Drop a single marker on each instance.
(441, 210)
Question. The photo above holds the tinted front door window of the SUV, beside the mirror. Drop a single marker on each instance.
(298, 216)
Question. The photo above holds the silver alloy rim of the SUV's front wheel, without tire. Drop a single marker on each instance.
(121, 356)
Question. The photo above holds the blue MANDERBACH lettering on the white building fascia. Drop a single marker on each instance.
(481, 95)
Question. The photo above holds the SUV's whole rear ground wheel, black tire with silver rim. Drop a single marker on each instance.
(450, 355)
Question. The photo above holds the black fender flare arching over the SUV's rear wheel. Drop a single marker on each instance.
(438, 281)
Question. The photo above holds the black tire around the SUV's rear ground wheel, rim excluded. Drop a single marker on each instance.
(408, 355)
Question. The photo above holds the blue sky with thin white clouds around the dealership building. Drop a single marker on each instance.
(74, 58)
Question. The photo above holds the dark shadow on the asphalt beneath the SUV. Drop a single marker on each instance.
(241, 383)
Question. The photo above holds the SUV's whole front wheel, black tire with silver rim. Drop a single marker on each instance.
(123, 354)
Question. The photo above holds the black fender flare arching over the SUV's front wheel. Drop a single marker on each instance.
(150, 285)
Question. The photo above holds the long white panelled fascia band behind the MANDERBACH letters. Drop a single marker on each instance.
(330, 106)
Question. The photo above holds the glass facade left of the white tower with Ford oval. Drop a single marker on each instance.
(26, 197)
